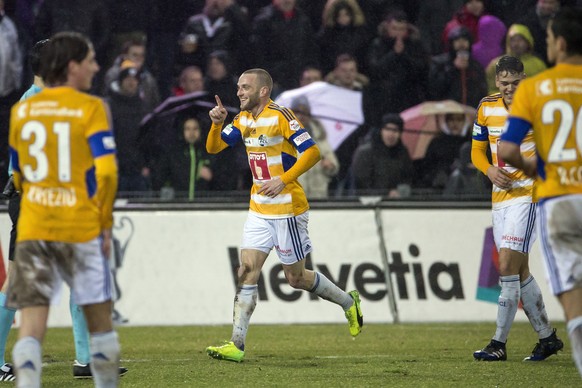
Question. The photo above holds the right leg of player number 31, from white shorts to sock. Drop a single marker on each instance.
(92, 289)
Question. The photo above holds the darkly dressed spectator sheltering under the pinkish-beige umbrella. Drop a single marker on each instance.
(441, 153)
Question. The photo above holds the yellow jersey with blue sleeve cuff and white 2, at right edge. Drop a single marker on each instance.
(551, 104)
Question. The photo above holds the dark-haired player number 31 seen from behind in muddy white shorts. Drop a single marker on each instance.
(63, 157)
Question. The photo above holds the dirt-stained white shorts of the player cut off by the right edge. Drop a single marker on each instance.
(560, 228)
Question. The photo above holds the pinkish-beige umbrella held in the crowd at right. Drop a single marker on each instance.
(423, 122)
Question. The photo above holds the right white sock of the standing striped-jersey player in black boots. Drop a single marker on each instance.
(534, 307)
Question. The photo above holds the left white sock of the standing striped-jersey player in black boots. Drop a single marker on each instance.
(507, 306)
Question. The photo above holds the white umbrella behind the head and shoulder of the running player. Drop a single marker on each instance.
(339, 109)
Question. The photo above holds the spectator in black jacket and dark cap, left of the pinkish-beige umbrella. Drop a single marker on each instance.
(381, 165)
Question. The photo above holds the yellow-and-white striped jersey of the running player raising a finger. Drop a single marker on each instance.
(273, 142)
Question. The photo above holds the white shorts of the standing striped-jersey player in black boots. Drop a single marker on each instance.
(514, 227)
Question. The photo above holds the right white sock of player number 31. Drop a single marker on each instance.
(105, 353)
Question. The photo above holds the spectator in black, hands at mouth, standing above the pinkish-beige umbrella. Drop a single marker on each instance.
(397, 67)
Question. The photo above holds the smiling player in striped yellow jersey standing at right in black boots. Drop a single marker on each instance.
(513, 220)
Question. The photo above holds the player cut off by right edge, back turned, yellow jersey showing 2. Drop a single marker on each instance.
(551, 104)
